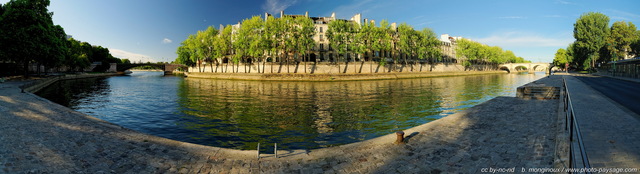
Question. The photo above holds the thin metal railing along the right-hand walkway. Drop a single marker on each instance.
(571, 123)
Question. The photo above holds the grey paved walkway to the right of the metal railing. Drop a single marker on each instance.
(611, 134)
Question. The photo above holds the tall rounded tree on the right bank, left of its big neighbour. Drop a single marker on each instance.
(590, 32)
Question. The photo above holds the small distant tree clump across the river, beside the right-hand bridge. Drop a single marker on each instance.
(475, 52)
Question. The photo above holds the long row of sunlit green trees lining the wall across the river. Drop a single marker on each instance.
(290, 39)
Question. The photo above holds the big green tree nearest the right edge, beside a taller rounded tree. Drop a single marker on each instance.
(618, 43)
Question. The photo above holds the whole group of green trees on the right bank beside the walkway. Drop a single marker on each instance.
(598, 43)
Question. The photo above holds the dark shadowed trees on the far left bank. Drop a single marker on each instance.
(29, 36)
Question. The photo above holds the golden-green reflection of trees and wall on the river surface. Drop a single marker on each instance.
(310, 115)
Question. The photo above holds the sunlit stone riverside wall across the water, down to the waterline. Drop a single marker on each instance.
(324, 71)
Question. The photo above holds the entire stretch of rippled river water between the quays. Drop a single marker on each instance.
(296, 115)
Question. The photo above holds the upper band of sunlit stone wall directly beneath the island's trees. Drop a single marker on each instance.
(335, 68)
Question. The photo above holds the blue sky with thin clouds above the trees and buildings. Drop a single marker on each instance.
(151, 30)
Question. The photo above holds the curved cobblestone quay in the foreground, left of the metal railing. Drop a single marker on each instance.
(38, 136)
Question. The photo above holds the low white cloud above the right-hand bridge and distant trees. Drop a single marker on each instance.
(523, 39)
